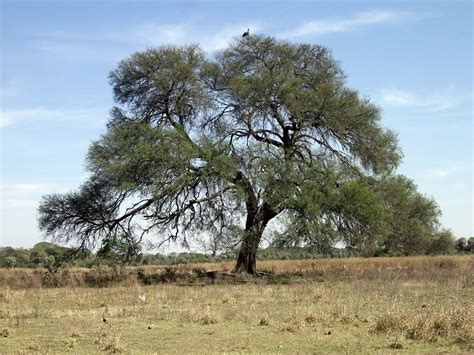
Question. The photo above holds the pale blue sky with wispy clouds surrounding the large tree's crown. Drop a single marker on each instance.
(414, 59)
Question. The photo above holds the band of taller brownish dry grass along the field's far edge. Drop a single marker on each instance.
(412, 268)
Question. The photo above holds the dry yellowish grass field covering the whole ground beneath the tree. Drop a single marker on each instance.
(414, 304)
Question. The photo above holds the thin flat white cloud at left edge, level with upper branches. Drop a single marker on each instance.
(9, 117)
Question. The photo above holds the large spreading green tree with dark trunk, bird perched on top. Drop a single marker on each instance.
(222, 145)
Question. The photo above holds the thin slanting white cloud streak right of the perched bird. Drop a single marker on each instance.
(361, 19)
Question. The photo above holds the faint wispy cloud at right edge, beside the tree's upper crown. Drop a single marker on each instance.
(439, 100)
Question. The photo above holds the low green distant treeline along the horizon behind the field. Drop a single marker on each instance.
(50, 255)
